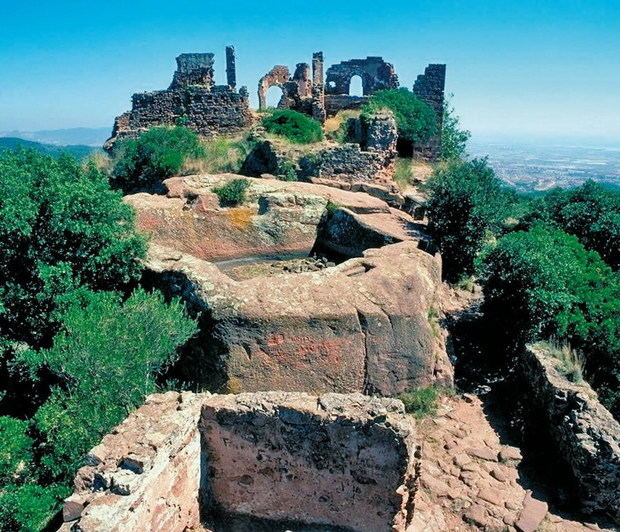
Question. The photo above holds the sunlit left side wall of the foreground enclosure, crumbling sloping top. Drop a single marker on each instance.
(145, 475)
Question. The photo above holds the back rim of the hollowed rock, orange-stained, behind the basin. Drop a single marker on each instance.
(278, 217)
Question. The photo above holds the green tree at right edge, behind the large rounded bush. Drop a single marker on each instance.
(591, 212)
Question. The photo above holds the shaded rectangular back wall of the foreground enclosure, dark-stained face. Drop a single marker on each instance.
(330, 461)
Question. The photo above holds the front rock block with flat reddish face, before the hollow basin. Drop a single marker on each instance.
(362, 325)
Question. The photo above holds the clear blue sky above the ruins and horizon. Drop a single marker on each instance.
(521, 67)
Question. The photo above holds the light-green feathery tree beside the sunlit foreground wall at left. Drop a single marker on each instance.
(107, 358)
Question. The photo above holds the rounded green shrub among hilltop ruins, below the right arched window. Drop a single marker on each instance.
(416, 120)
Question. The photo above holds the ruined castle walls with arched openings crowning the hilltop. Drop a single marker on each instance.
(195, 101)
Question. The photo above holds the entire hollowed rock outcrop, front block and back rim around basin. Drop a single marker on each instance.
(364, 325)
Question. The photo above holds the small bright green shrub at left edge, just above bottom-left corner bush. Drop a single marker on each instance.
(15, 450)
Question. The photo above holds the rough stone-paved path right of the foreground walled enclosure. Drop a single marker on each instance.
(470, 481)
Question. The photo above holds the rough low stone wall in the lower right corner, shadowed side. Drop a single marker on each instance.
(584, 432)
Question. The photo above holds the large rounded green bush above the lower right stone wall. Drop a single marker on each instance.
(541, 284)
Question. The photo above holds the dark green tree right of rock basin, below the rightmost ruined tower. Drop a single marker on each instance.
(466, 206)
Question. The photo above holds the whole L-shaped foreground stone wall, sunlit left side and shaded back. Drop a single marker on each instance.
(250, 462)
